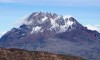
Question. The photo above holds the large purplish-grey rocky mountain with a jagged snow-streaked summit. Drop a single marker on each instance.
(54, 33)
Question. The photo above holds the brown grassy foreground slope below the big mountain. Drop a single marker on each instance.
(18, 54)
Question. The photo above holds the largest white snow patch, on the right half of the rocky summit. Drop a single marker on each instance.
(60, 28)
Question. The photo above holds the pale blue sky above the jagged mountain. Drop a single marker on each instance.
(85, 11)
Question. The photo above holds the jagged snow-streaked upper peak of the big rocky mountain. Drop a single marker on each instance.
(40, 21)
